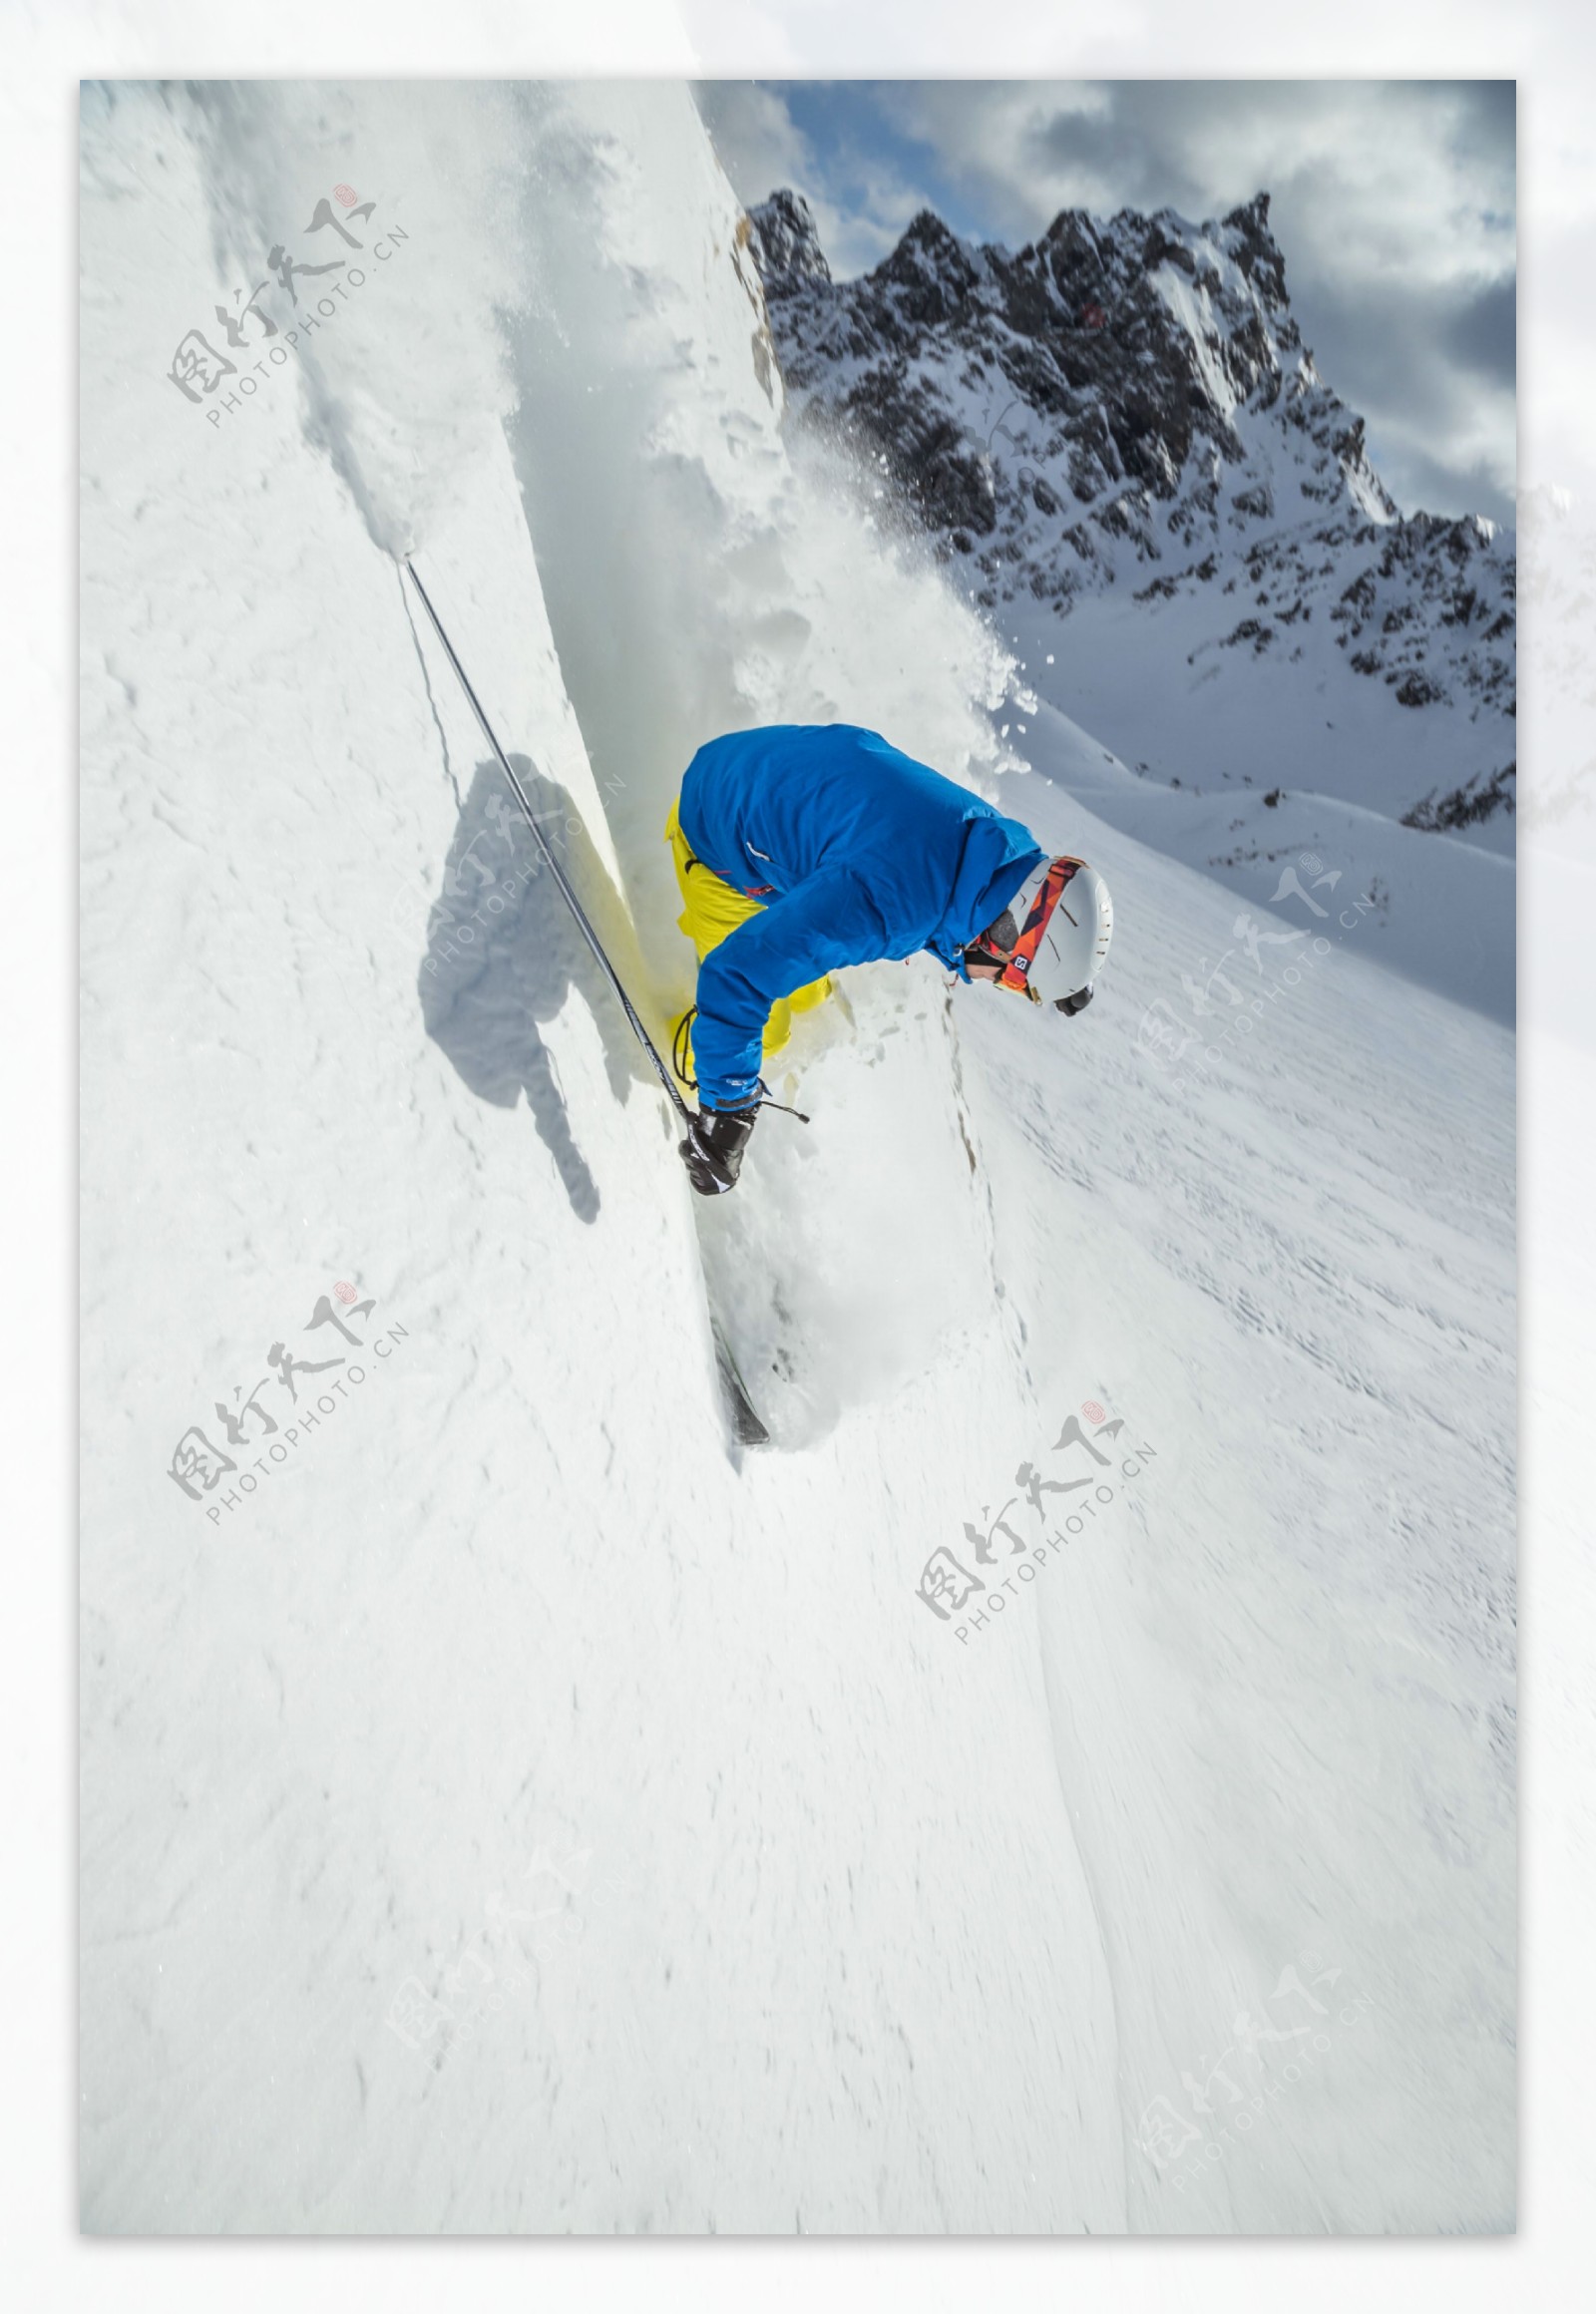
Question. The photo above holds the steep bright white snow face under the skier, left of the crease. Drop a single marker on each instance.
(510, 1813)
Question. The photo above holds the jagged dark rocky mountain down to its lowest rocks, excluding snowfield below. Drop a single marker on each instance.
(1128, 408)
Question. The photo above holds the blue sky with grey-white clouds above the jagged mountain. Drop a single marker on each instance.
(1394, 205)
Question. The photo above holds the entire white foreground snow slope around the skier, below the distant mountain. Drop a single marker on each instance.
(517, 1811)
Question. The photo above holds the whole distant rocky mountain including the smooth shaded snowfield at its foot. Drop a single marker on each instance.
(1123, 415)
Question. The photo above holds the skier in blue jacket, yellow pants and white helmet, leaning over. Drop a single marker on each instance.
(801, 848)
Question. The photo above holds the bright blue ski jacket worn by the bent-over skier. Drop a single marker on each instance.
(857, 853)
